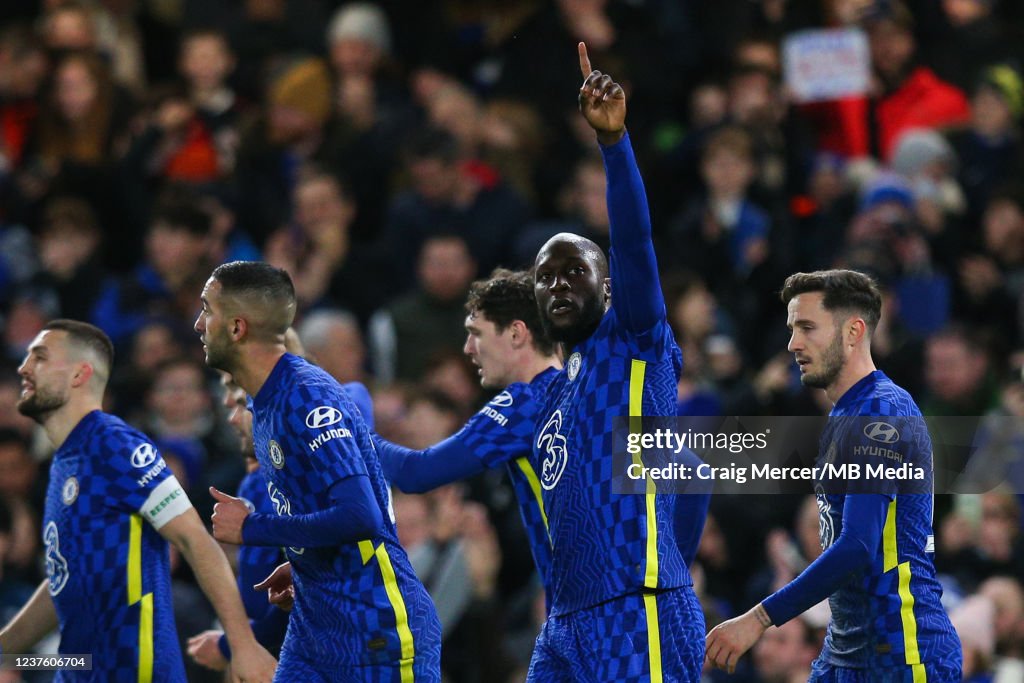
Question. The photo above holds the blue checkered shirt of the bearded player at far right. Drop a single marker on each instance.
(868, 627)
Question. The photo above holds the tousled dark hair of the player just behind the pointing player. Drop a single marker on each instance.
(508, 296)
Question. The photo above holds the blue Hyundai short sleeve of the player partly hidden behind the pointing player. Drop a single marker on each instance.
(502, 432)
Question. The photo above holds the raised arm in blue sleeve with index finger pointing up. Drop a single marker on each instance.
(636, 291)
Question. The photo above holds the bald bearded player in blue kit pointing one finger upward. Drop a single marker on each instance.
(623, 607)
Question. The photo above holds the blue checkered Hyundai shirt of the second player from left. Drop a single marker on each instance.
(343, 615)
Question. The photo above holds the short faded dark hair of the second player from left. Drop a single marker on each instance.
(263, 285)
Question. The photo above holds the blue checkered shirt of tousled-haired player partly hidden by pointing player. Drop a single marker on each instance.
(501, 434)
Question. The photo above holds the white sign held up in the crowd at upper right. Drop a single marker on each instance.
(827, 65)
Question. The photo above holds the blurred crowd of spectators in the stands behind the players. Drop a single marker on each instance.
(388, 154)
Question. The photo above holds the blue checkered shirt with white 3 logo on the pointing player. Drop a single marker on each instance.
(601, 538)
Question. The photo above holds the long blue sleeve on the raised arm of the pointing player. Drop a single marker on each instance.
(636, 288)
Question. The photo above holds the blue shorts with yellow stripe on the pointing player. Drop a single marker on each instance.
(612, 642)
